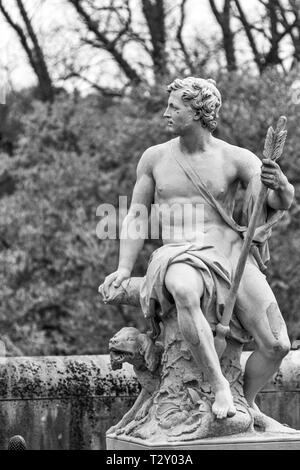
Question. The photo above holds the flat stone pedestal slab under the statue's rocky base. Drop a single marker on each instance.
(253, 441)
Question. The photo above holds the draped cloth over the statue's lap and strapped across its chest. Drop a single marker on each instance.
(216, 269)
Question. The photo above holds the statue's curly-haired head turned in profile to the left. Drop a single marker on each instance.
(193, 99)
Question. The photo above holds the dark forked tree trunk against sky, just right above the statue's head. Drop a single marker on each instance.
(224, 18)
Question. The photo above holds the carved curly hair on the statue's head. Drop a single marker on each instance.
(203, 96)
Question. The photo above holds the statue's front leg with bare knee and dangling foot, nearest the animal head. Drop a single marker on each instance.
(186, 286)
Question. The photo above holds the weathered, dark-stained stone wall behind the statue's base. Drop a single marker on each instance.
(69, 402)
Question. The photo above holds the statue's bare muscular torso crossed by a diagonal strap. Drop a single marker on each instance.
(191, 218)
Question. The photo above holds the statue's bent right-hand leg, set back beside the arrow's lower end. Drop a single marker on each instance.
(259, 313)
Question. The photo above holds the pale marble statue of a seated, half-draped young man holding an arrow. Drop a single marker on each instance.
(188, 392)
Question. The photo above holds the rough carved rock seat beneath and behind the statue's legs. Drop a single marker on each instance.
(180, 408)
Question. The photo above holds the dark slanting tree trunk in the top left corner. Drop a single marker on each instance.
(30, 43)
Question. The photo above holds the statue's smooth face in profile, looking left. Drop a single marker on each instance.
(179, 114)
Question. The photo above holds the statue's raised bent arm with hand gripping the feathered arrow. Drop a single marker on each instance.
(281, 192)
